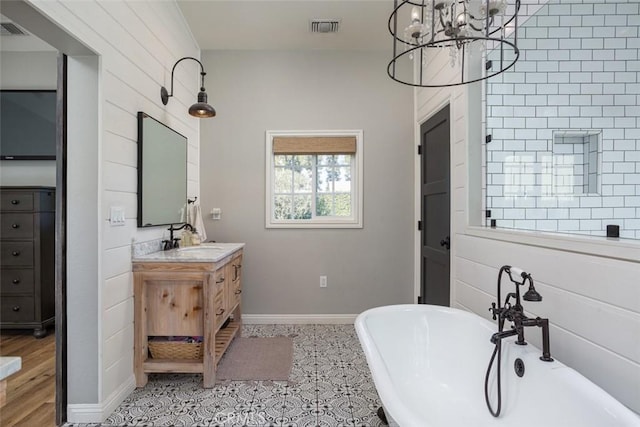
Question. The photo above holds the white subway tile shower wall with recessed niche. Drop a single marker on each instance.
(573, 96)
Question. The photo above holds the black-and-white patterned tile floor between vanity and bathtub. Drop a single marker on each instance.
(330, 385)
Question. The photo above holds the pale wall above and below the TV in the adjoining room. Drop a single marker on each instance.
(28, 70)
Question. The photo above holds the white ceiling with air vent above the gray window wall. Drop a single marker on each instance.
(285, 25)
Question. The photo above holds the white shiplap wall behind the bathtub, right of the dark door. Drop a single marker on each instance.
(593, 302)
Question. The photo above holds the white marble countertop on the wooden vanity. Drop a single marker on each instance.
(206, 252)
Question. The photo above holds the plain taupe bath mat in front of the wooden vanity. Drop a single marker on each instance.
(257, 359)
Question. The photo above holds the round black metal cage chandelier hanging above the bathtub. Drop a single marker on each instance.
(463, 26)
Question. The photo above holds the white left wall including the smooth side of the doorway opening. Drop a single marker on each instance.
(136, 44)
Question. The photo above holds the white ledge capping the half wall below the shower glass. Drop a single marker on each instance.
(621, 249)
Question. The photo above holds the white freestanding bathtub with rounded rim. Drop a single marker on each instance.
(429, 363)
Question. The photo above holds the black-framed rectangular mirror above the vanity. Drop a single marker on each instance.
(162, 173)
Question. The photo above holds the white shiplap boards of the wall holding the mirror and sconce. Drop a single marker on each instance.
(137, 44)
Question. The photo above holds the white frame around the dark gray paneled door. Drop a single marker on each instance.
(447, 99)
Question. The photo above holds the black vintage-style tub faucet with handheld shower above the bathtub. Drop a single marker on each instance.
(514, 312)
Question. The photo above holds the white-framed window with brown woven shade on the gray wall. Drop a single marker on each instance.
(314, 179)
